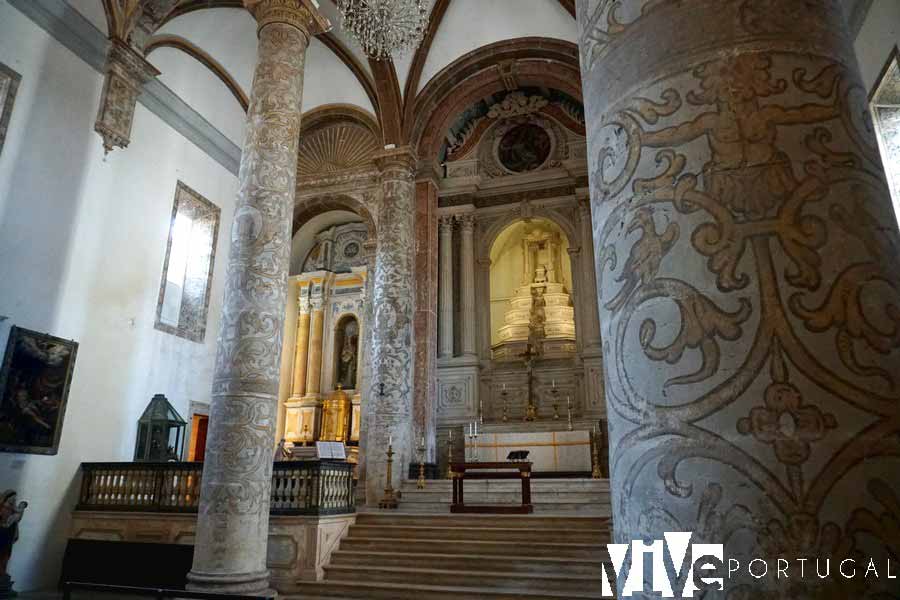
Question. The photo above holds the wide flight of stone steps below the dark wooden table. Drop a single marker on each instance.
(409, 556)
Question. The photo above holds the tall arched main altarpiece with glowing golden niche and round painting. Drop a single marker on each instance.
(518, 164)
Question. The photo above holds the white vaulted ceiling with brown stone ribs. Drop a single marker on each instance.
(206, 51)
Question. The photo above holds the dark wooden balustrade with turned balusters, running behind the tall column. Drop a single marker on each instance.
(298, 487)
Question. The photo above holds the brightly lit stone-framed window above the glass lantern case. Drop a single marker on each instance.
(187, 271)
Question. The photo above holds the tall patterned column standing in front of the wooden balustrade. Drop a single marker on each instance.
(233, 521)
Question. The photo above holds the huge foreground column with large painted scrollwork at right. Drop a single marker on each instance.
(747, 258)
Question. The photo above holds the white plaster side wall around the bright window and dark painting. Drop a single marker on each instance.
(82, 242)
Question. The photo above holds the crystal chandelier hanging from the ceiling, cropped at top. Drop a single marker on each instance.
(385, 28)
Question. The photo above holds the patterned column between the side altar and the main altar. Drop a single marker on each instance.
(391, 393)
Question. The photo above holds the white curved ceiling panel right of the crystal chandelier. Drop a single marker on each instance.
(471, 24)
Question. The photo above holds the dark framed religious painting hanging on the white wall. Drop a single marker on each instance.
(34, 383)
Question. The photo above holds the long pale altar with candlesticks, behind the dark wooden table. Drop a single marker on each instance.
(549, 451)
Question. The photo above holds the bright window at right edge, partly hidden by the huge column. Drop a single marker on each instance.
(885, 106)
